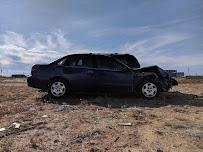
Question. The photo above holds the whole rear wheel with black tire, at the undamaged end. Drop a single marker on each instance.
(58, 88)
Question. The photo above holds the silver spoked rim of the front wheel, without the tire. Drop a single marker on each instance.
(149, 90)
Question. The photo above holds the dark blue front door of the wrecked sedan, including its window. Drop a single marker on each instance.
(112, 76)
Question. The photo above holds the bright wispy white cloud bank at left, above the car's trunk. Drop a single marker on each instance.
(37, 48)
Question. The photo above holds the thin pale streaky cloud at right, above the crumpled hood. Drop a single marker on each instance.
(152, 51)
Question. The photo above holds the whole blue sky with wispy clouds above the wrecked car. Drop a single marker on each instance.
(168, 33)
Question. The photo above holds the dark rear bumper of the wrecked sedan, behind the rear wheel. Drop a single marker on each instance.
(37, 83)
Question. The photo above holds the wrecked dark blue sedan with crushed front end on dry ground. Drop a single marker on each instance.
(100, 73)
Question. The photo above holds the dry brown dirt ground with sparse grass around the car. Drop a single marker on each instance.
(171, 123)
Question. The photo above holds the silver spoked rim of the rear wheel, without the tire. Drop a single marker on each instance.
(58, 89)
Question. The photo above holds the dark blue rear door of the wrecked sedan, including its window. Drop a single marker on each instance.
(80, 72)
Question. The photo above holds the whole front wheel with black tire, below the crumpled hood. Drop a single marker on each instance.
(149, 89)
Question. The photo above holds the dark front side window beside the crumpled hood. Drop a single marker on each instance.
(105, 62)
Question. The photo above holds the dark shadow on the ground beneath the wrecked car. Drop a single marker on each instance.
(121, 101)
